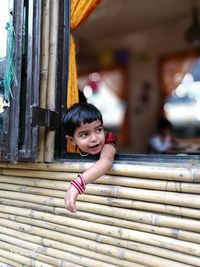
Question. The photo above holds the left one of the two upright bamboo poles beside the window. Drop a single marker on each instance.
(44, 71)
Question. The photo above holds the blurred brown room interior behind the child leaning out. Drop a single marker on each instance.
(139, 60)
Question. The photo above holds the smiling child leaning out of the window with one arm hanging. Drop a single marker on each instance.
(83, 125)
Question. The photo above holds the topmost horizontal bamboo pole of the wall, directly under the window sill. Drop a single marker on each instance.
(187, 173)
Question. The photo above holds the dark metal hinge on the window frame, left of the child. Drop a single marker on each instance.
(44, 117)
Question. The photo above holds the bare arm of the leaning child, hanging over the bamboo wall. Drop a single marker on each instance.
(99, 168)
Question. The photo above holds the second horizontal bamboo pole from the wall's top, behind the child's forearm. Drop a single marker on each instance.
(107, 179)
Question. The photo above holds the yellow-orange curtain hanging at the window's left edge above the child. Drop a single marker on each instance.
(79, 11)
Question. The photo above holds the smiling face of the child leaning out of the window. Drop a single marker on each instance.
(90, 137)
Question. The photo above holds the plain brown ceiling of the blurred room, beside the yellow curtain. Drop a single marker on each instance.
(114, 18)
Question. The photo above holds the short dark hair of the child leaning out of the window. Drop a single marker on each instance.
(77, 114)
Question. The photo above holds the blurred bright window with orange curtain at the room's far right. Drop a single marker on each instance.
(181, 85)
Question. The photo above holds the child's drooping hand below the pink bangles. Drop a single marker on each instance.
(70, 199)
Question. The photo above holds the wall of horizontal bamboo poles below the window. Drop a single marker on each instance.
(140, 214)
